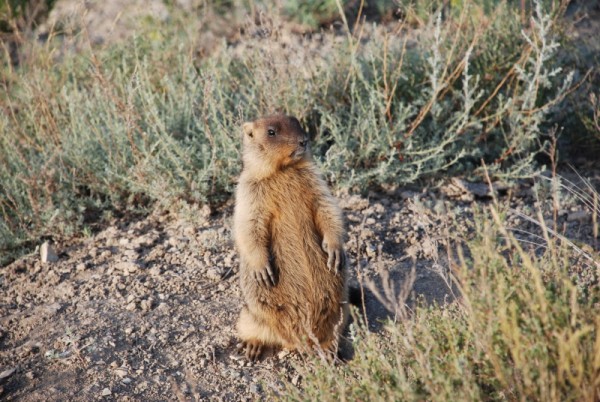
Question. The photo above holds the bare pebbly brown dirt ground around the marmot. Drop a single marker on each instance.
(146, 309)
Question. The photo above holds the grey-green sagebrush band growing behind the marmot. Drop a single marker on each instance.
(146, 122)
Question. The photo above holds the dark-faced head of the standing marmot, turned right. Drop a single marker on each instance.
(274, 142)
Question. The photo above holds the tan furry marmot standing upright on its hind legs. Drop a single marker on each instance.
(289, 234)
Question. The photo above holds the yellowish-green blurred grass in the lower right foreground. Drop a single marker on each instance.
(523, 328)
